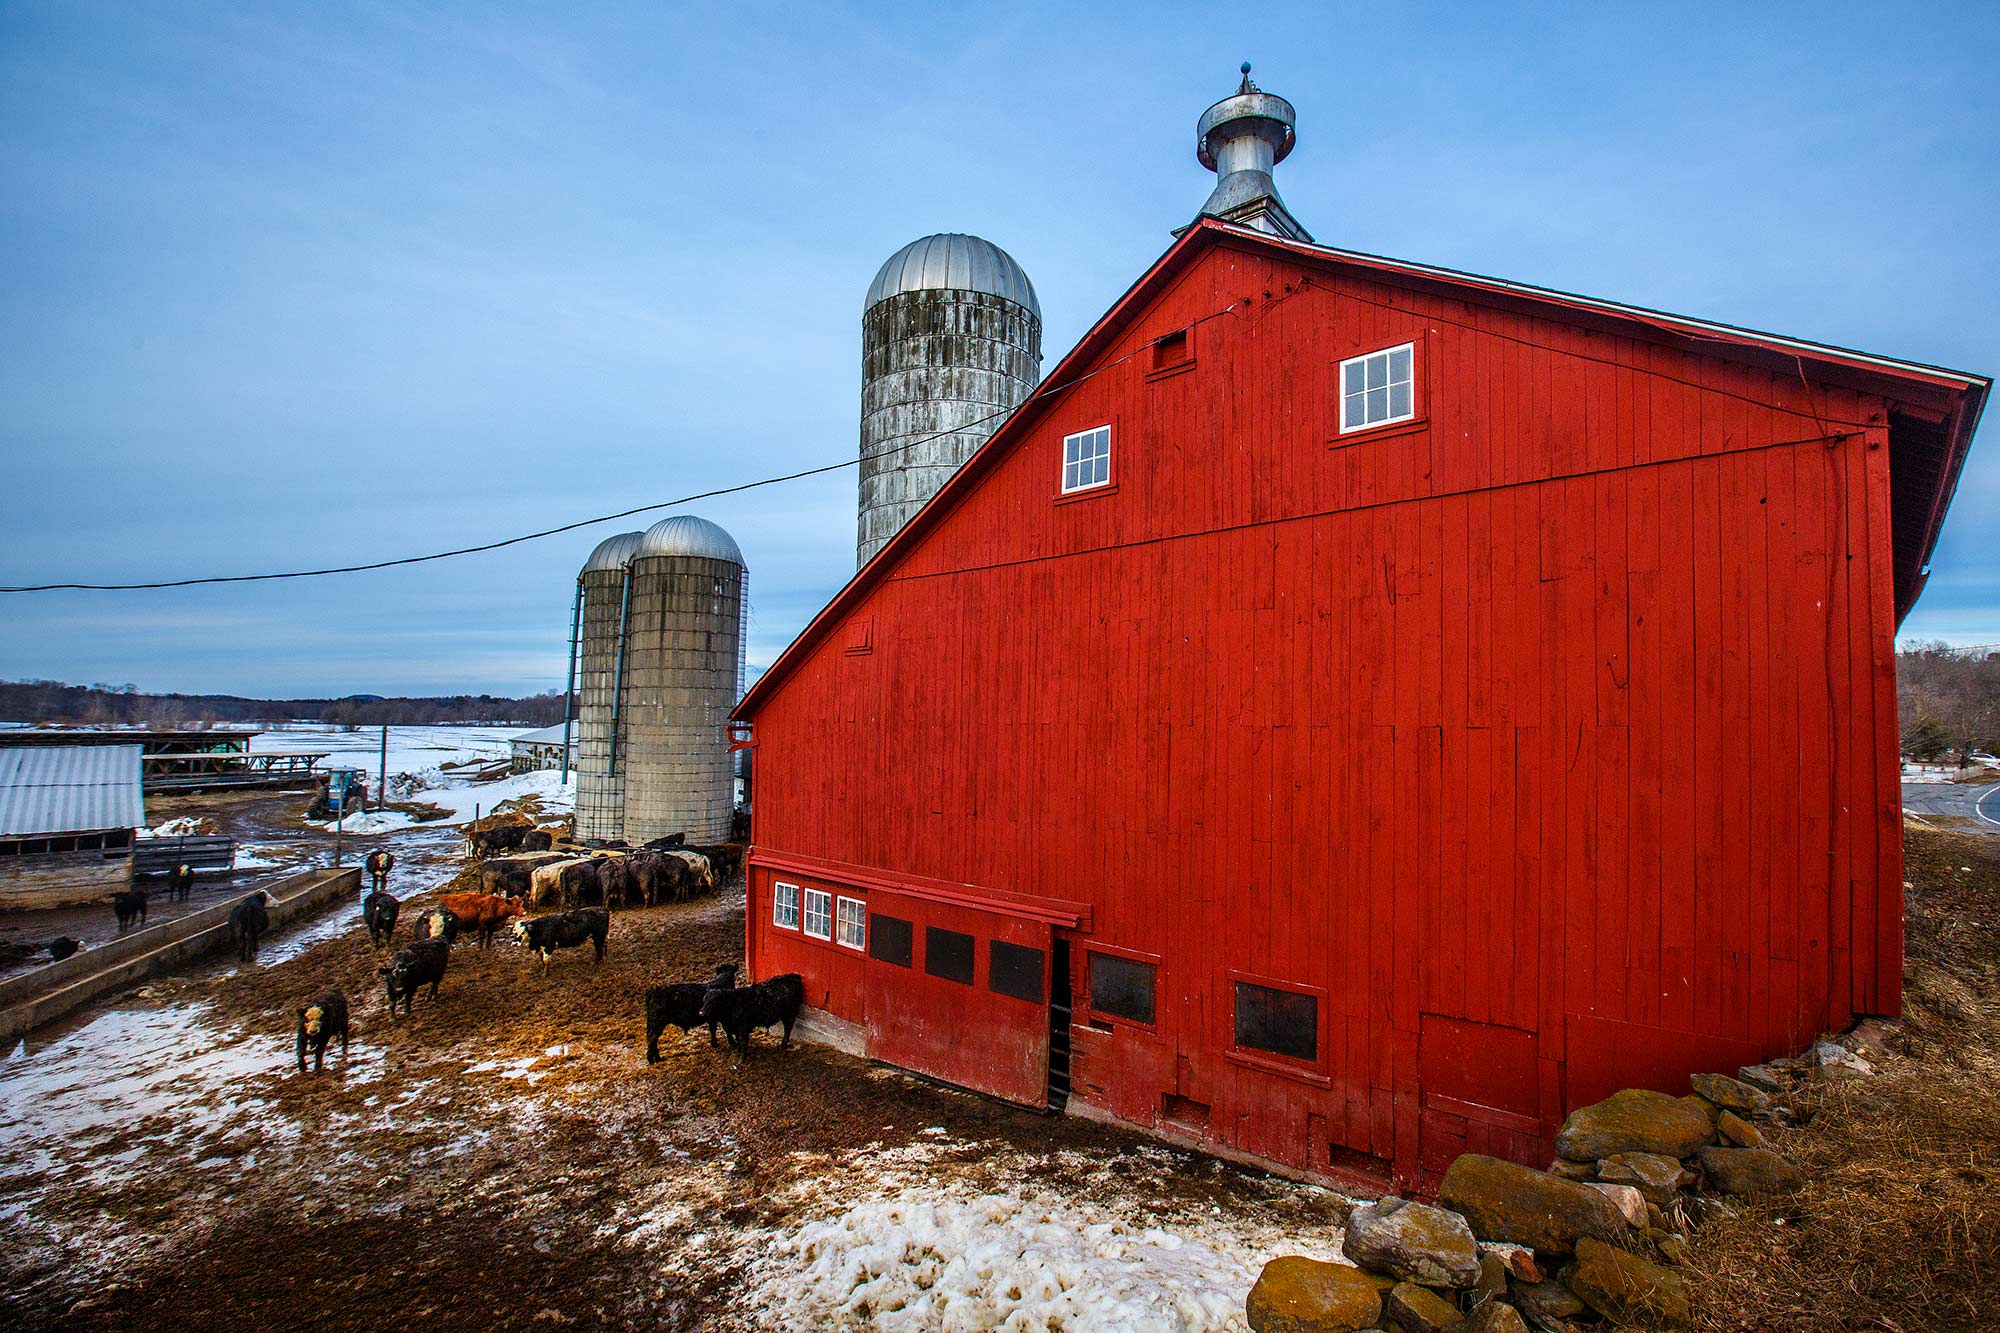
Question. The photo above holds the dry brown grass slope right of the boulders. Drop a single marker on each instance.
(1899, 1226)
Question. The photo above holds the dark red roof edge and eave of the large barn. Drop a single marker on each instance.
(1931, 431)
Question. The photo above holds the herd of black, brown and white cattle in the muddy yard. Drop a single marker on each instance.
(583, 888)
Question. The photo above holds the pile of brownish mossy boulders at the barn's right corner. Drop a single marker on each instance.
(1593, 1238)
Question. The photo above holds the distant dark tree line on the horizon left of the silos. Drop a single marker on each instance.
(55, 702)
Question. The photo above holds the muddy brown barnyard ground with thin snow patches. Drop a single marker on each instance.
(503, 1158)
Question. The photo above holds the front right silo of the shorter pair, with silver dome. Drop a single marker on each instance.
(685, 657)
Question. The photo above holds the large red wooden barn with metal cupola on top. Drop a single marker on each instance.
(1355, 712)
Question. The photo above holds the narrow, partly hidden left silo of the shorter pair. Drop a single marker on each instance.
(601, 633)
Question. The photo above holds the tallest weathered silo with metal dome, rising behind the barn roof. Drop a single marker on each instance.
(951, 345)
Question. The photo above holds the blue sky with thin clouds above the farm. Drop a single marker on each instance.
(293, 285)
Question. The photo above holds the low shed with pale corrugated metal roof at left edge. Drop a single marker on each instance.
(69, 816)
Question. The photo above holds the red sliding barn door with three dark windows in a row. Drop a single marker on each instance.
(961, 996)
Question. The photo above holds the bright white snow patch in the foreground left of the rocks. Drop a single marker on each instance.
(921, 1250)
